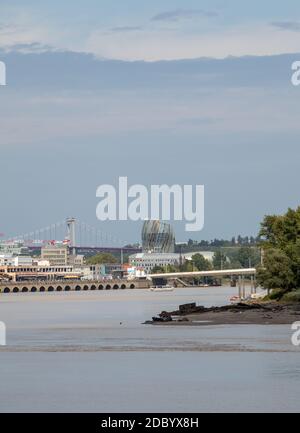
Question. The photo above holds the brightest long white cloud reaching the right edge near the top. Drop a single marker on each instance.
(165, 45)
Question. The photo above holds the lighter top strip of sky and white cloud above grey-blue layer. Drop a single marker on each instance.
(176, 29)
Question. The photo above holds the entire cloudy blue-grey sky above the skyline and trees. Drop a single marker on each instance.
(175, 92)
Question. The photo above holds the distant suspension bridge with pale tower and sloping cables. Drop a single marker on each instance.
(81, 237)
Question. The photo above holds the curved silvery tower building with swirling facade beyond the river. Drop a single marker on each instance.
(158, 237)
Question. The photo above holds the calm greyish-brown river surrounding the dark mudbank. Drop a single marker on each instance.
(89, 352)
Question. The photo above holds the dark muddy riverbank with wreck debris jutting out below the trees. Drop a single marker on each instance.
(239, 314)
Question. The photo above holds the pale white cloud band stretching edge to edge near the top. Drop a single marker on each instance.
(152, 42)
